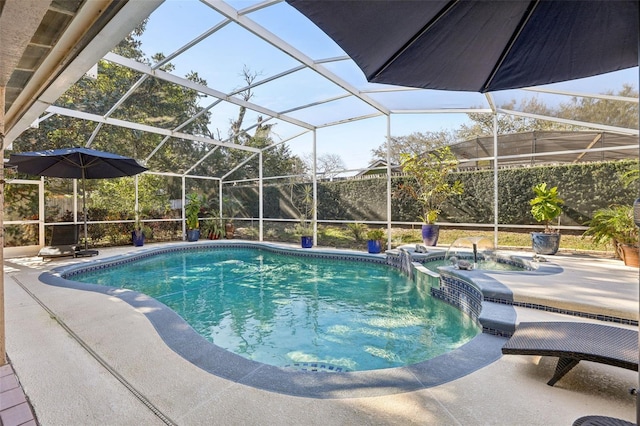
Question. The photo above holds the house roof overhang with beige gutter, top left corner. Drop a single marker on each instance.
(46, 46)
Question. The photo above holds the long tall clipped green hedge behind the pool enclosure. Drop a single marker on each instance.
(584, 188)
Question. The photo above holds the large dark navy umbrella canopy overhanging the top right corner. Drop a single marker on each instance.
(480, 45)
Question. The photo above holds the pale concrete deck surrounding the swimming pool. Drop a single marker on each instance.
(90, 358)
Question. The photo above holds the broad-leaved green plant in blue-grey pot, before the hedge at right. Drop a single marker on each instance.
(546, 206)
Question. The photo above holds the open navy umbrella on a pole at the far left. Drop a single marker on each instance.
(76, 163)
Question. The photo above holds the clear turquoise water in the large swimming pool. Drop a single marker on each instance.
(284, 309)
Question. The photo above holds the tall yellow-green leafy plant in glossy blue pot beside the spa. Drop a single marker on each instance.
(431, 187)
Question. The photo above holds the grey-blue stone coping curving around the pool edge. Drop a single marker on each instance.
(180, 337)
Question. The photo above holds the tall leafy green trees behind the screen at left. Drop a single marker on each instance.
(162, 104)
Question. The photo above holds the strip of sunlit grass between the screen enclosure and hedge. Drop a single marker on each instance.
(336, 236)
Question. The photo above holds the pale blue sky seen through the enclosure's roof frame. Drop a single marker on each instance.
(220, 59)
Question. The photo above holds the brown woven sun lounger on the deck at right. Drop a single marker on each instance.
(573, 342)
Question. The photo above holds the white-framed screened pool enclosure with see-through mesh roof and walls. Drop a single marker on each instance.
(260, 83)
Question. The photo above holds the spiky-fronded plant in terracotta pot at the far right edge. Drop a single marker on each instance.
(615, 224)
